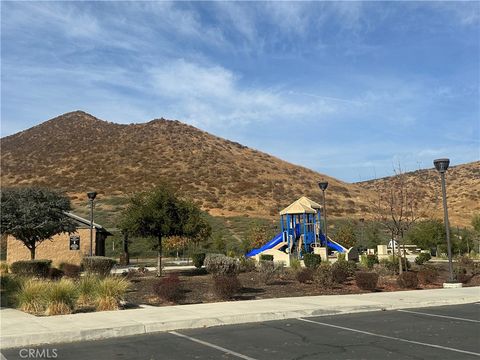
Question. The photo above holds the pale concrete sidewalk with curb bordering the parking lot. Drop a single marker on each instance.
(20, 329)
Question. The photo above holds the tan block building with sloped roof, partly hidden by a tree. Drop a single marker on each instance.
(64, 247)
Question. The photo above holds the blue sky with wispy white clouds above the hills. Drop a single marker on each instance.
(350, 89)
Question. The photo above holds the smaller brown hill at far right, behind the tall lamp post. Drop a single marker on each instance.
(463, 191)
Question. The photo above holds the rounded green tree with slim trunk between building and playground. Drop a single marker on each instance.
(159, 213)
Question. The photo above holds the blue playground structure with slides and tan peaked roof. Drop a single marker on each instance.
(301, 226)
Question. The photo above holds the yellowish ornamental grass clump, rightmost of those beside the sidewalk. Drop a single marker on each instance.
(110, 291)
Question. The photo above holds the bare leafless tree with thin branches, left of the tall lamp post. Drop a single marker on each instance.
(397, 207)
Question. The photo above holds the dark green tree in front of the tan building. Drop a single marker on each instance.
(33, 215)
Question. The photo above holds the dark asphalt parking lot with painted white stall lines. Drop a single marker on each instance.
(448, 332)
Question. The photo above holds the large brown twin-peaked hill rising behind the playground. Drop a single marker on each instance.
(78, 152)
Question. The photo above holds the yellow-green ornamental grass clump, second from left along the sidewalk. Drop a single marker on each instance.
(61, 297)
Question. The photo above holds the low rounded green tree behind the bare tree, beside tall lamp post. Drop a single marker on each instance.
(427, 234)
